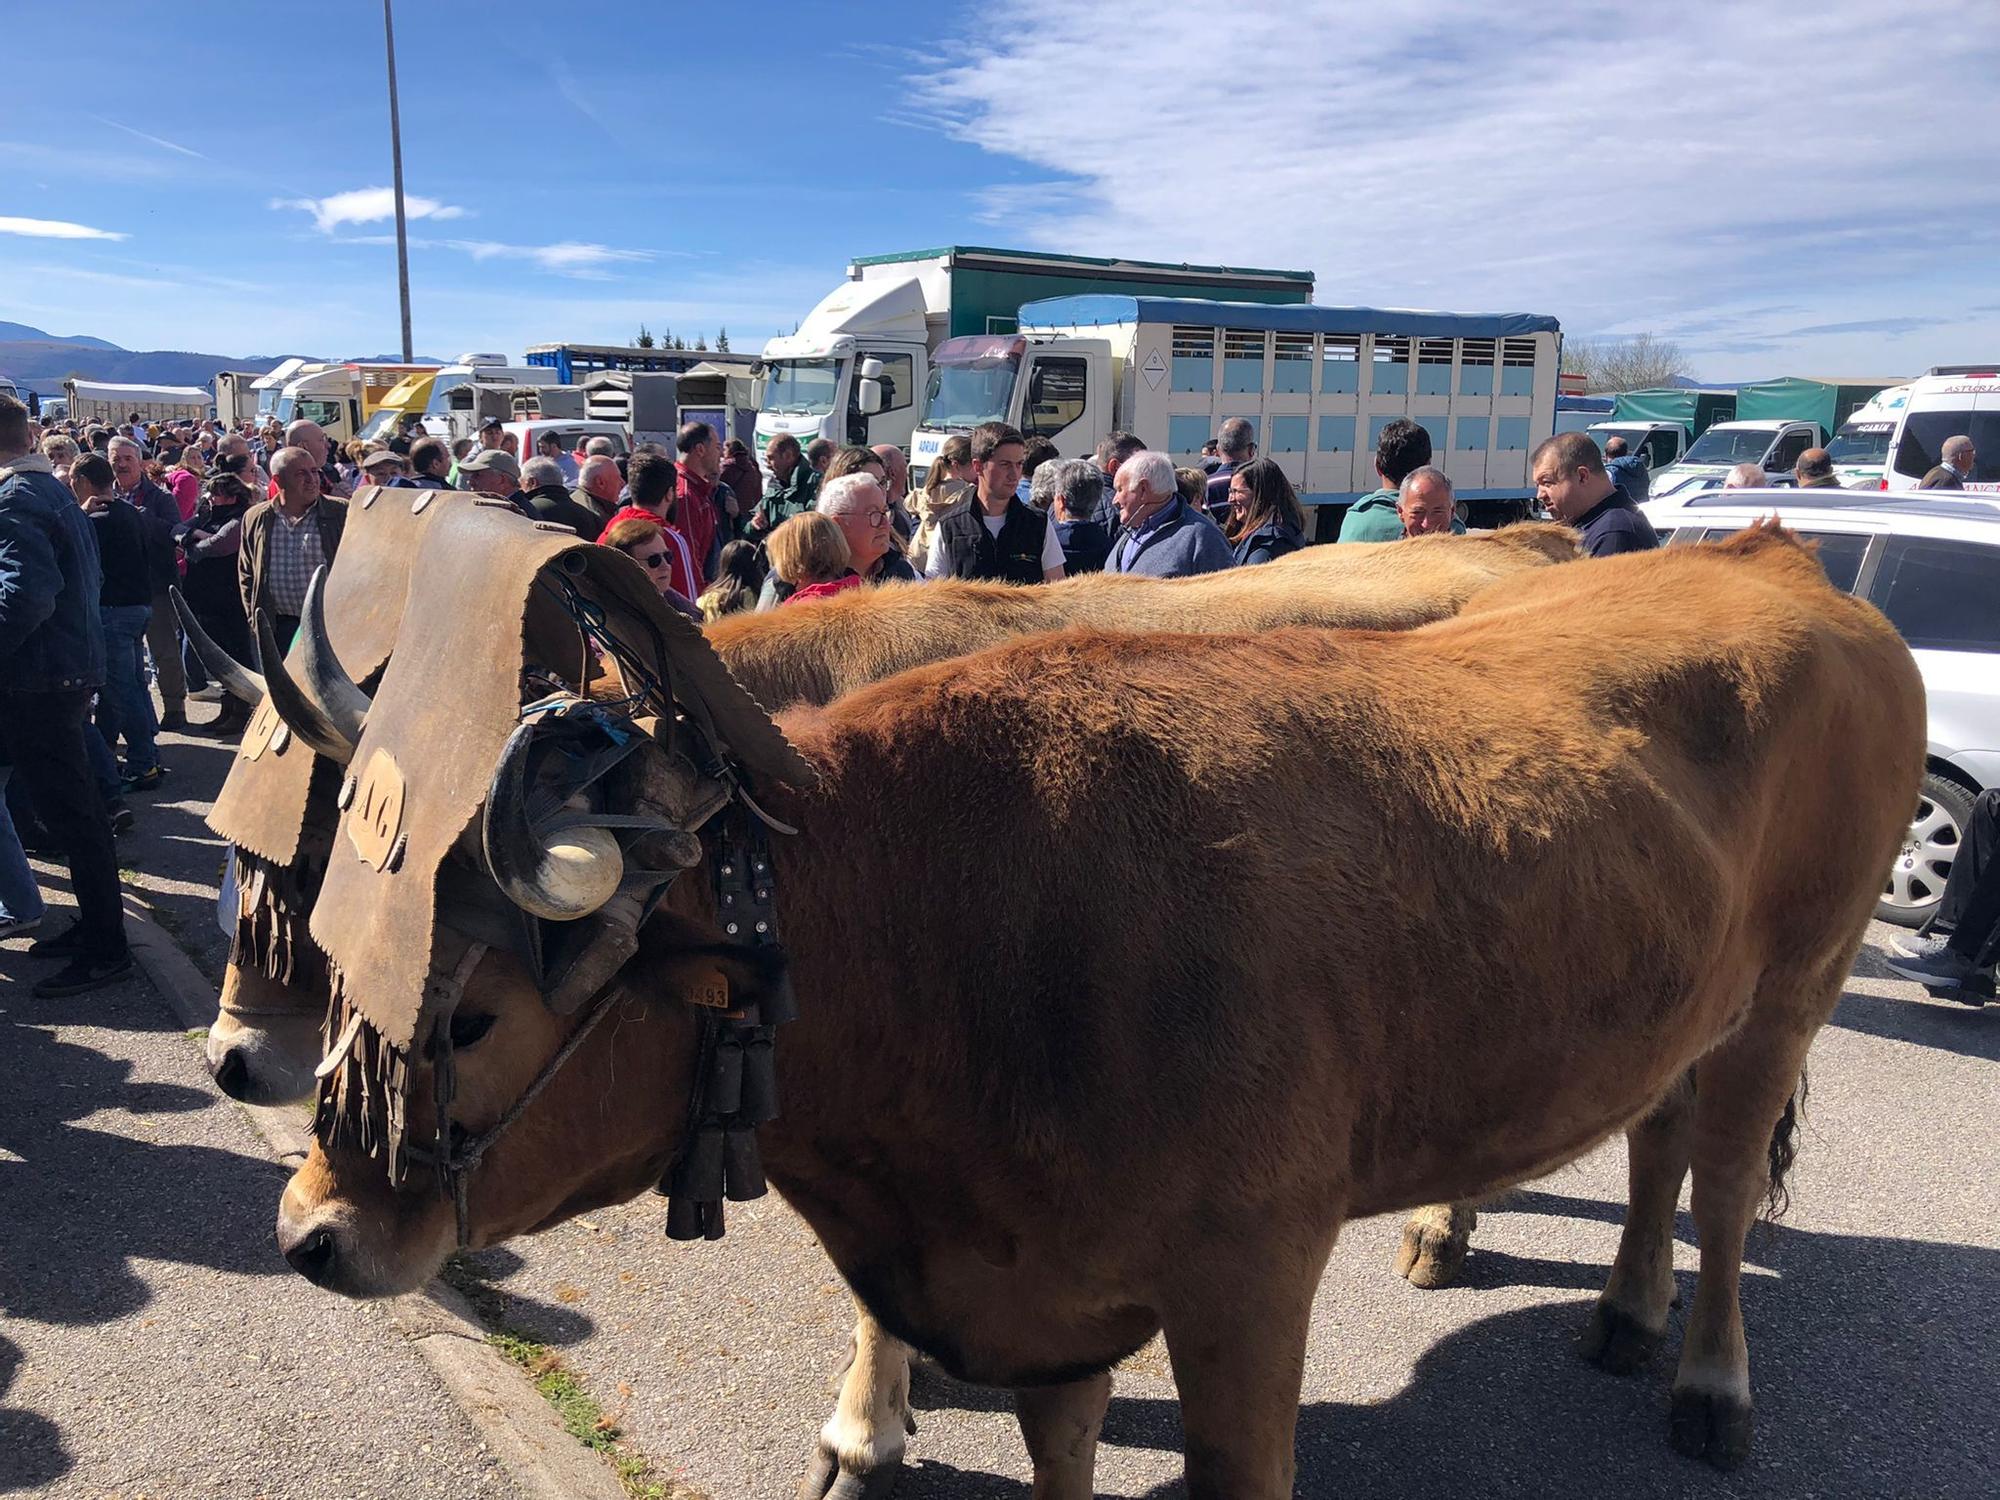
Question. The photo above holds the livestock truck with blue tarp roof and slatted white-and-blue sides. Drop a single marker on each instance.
(1317, 387)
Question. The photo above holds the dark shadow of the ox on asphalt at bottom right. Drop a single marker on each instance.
(1873, 1363)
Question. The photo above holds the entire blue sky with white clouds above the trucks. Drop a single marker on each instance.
(1805, 189)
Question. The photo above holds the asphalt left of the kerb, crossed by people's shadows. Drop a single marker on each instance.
(153, 1343)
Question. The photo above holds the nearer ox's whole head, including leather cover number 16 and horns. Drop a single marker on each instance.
(503, 1047)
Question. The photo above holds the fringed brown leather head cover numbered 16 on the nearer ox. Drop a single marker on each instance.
(491, 627)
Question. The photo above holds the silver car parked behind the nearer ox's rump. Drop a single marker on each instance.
(1933, 567)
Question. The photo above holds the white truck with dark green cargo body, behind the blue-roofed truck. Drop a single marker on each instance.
(859, 365)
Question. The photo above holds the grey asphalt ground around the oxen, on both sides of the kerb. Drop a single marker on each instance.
(1873, 1311)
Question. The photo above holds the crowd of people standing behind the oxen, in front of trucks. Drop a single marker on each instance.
(99, 525)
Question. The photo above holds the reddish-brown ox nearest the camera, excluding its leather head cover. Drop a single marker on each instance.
(1033, 1147)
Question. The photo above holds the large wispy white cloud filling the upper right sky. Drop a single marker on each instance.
(1613, 167)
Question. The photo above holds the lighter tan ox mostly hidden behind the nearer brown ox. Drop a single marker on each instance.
(267, 1037)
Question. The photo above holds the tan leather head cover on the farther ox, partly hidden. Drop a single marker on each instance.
(265, 803)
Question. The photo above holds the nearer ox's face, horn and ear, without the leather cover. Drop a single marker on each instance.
(569, 1049)
